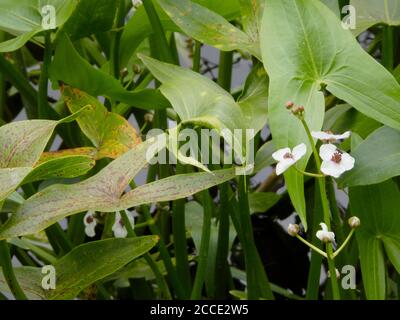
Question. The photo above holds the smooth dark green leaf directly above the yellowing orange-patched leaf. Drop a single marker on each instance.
(70, 67)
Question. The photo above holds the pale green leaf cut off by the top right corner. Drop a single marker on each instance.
(371, 12)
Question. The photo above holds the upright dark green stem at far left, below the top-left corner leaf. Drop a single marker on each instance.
(43, 104)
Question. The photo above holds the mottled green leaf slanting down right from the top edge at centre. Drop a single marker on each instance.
(207, 26)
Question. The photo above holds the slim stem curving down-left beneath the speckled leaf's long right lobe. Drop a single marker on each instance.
(204, 246)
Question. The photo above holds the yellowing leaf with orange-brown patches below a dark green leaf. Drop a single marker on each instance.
(109, 132)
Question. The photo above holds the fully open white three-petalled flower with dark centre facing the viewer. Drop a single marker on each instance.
(335, 161)
